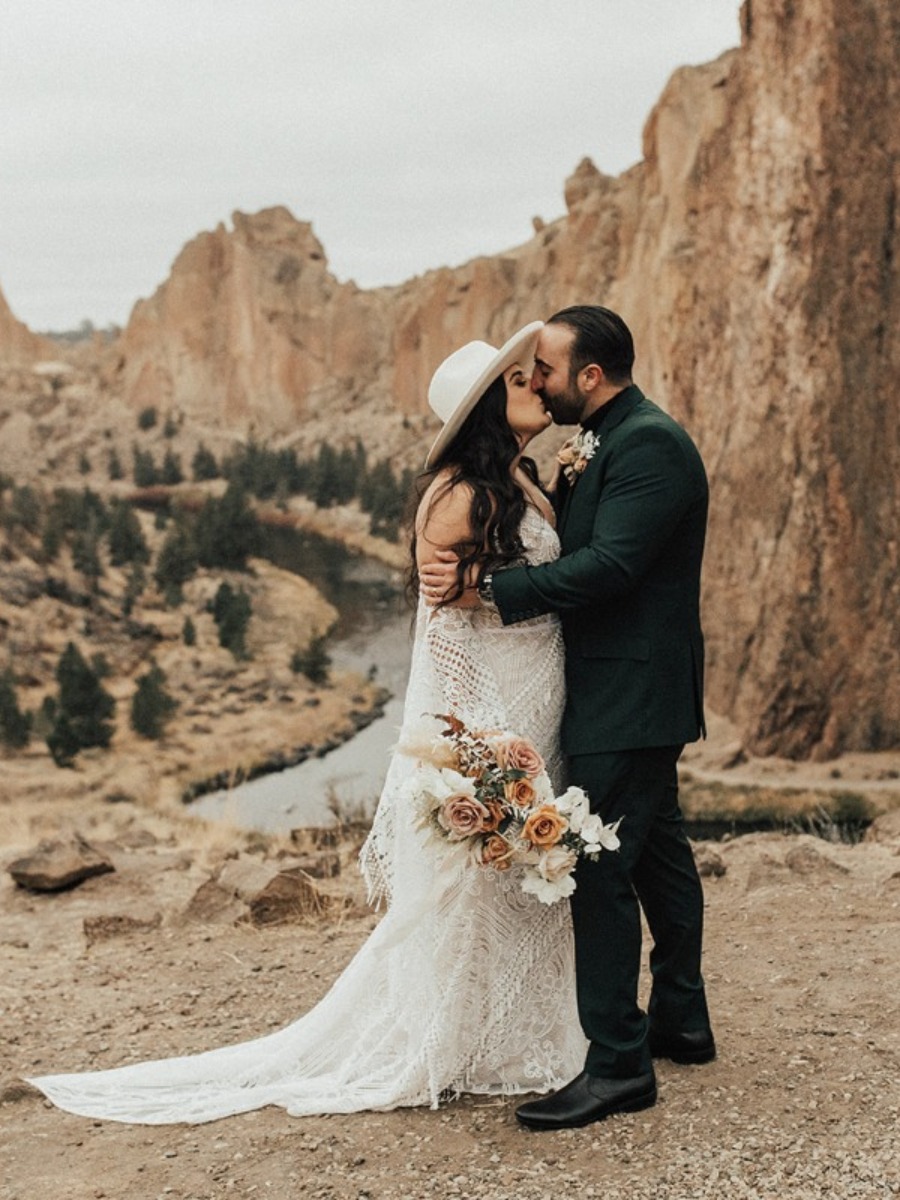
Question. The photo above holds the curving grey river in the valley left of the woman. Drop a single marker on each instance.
(374, 634)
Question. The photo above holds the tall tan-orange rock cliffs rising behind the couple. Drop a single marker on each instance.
(754, 251)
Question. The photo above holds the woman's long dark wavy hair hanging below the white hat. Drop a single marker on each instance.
(482, 455)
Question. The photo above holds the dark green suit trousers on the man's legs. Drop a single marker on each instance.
(653, 871)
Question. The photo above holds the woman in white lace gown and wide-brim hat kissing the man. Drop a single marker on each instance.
(467, 983)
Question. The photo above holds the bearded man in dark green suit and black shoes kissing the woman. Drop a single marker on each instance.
(632, 509)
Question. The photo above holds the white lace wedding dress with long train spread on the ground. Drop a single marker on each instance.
(467, 985)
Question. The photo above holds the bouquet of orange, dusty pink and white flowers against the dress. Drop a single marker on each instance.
(488, 796)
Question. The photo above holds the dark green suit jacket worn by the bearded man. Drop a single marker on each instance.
(627, 585)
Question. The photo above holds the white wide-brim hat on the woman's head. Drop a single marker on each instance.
(463, 380)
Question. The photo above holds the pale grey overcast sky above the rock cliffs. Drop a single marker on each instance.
(412, 134)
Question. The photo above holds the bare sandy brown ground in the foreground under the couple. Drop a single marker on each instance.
(803, 1101)
